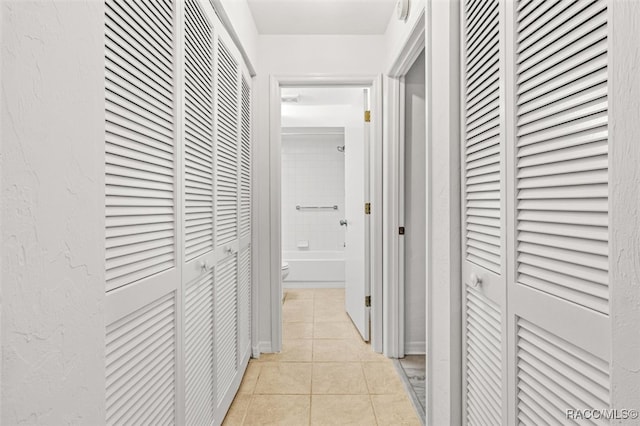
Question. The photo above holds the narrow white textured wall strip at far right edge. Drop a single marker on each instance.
(624, 199)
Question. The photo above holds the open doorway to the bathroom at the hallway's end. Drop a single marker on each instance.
(326, 149)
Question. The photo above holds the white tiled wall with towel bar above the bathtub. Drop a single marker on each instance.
(312, 175)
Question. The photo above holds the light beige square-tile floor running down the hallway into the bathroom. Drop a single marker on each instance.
(325, 374)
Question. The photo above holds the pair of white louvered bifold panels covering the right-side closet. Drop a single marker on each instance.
(535, 197)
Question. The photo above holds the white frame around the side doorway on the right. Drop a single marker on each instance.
(439, 28)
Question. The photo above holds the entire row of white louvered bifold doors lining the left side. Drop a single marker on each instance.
(178, 213)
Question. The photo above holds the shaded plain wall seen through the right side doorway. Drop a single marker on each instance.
(415, 207)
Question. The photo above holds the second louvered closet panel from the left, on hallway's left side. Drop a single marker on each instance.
(199, 213)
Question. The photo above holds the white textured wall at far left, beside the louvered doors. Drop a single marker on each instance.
(52, 212)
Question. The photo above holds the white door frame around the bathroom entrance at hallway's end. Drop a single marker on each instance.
(375, 196)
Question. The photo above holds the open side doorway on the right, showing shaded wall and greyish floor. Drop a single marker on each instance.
(412, 219)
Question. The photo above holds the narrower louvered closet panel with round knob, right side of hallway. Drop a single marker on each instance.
(483, 215)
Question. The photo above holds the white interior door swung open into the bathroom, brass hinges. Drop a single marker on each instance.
(357, 286)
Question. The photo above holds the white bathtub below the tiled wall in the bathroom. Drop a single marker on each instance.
(314, 269)
